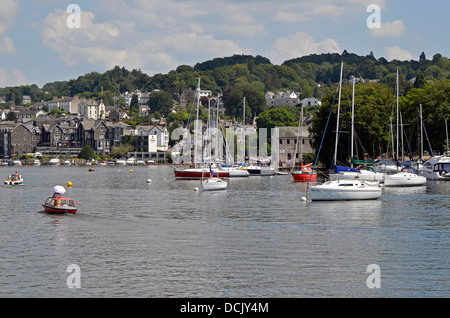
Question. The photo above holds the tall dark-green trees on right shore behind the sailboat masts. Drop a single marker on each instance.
(375, 109)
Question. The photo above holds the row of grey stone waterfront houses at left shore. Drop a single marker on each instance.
(58, 134)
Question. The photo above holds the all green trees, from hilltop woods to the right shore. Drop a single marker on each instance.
(425, 81)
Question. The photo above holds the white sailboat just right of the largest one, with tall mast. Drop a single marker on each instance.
(402, 178)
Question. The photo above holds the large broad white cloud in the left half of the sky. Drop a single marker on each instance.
(116, 42)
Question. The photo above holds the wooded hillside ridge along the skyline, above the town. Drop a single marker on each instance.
(221, 74)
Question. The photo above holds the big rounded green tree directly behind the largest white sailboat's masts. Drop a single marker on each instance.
(373, 108)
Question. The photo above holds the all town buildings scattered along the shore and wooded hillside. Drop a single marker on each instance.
(61, 127)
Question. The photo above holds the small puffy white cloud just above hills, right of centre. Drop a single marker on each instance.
(298, 45)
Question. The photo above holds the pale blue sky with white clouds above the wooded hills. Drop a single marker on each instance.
(55, 40)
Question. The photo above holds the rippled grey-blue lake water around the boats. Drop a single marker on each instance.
(131, 238)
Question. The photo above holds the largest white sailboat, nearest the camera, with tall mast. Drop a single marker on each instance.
(335, 190)
